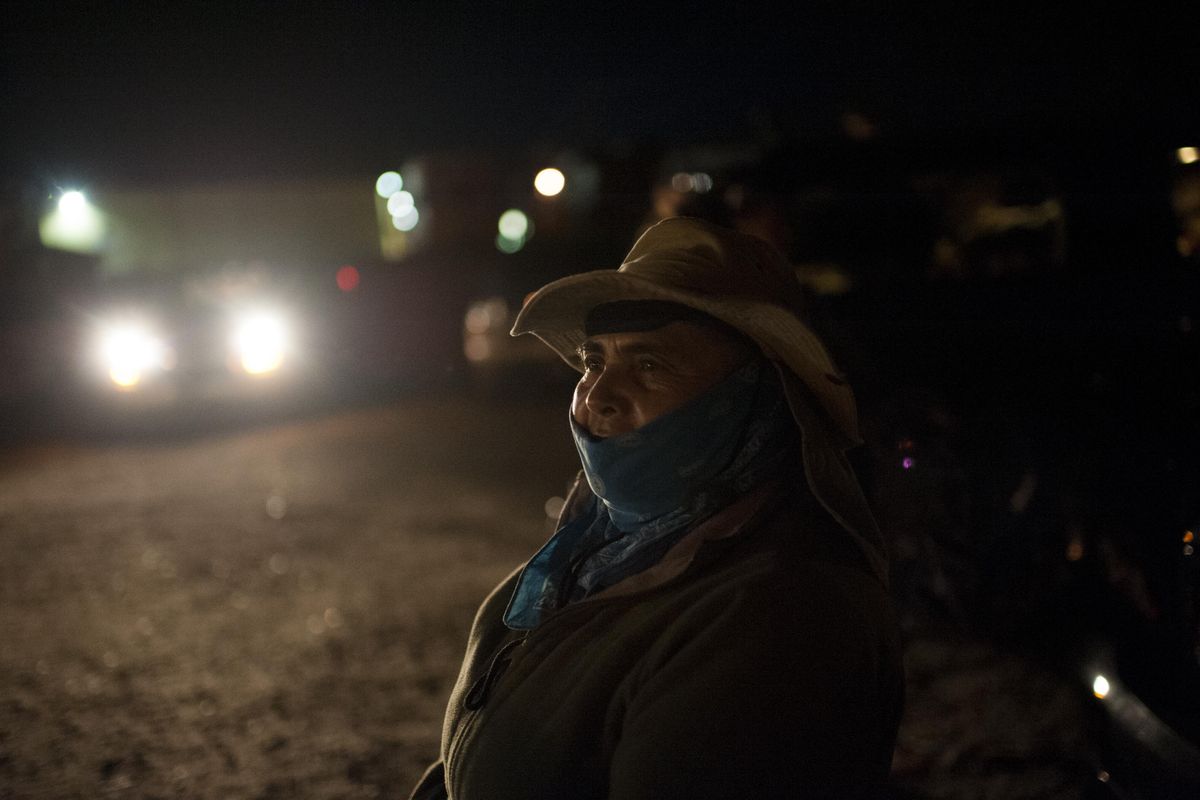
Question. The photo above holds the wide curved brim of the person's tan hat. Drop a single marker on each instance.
(556, 315)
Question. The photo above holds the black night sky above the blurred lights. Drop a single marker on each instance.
(185, 92)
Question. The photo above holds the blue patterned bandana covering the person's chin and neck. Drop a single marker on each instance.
(655, 484)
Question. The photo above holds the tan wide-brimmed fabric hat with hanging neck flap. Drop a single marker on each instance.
(748, 285)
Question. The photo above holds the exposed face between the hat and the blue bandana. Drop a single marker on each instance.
(633, 378)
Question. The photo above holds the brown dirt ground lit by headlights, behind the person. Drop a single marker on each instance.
(279, 612)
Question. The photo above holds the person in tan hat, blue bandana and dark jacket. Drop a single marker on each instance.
(711, 618)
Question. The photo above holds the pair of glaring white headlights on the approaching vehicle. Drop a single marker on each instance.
(131, 351)
